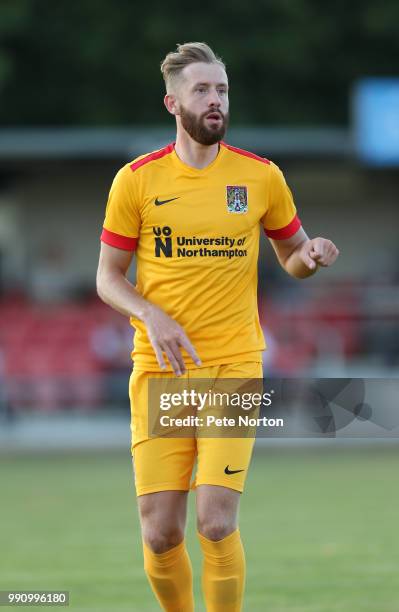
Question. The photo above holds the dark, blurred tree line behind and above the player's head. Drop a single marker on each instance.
(96, 62)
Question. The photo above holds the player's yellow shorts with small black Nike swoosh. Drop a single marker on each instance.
(164, 463)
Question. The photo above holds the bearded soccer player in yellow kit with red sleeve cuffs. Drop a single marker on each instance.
(192, 212)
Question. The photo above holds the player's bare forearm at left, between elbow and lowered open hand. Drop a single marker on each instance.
(116, 291)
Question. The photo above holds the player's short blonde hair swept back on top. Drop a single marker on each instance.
(186, 54)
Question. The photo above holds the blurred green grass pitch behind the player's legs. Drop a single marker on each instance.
(320, 529)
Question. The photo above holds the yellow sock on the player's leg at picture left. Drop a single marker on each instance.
(171, 578)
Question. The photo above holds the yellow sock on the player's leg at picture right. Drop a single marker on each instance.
(223, 573)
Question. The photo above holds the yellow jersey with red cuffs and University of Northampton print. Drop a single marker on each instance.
(196, 236)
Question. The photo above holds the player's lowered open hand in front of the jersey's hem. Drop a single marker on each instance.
(167, 336)
